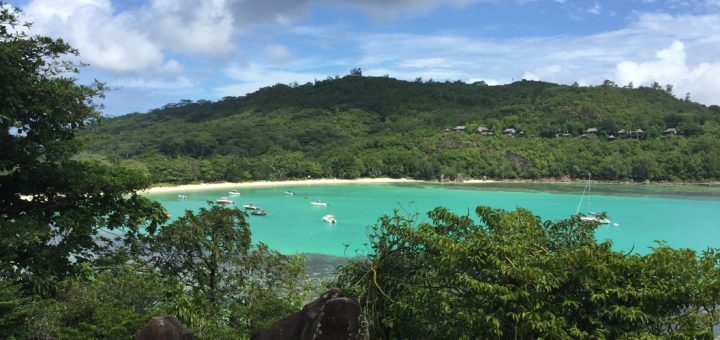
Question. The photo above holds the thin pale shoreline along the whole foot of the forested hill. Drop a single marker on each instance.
(383, 180)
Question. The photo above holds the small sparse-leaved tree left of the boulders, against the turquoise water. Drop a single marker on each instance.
(211, 253)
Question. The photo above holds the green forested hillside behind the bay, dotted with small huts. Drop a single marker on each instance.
(358, 126)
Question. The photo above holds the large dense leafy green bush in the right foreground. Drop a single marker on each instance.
(514, 276)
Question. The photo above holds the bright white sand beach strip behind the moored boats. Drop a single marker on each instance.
(263, 184)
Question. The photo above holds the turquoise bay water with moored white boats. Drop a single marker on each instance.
(681, 216)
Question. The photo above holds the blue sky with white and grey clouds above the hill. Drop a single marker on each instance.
(155, 52)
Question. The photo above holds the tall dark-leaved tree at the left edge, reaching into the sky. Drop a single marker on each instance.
(54, 209)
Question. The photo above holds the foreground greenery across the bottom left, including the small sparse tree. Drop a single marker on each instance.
(202, 269)
